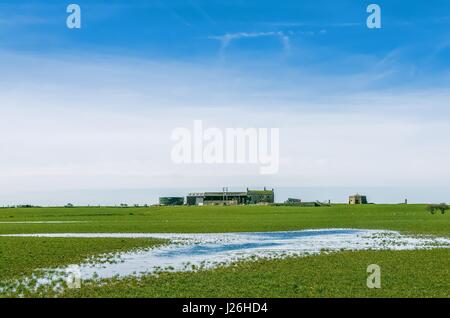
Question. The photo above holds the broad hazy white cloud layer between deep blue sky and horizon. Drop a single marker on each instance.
(70, 124)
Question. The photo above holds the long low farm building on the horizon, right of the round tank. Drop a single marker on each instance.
(231, 198)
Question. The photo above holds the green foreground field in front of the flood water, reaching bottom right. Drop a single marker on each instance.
(403, 274)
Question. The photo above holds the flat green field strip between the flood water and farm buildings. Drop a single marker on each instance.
(405, 218)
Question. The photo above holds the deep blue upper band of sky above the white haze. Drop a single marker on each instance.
(321, 34)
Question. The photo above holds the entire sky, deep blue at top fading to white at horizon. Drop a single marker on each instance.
(95, 106)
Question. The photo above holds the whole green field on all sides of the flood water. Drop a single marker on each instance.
(405, 273)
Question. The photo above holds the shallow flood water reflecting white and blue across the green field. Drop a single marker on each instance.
(190, 252)
